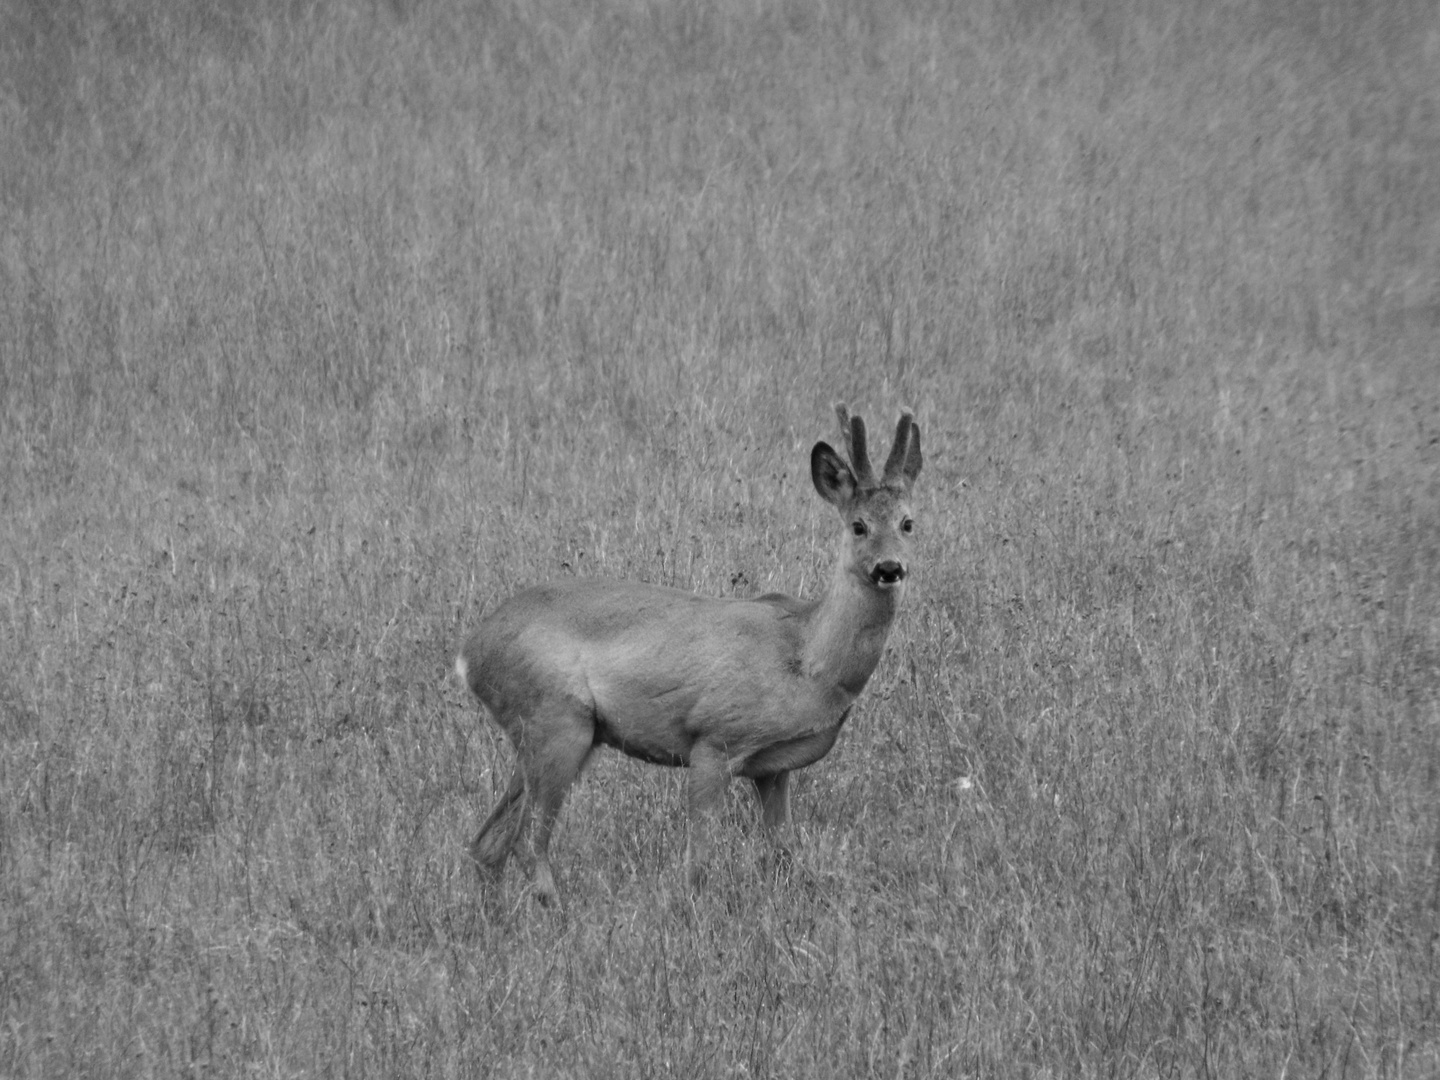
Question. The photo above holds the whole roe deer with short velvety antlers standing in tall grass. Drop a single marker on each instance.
(724, 686)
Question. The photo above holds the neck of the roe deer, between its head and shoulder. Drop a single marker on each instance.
(849, 631)
